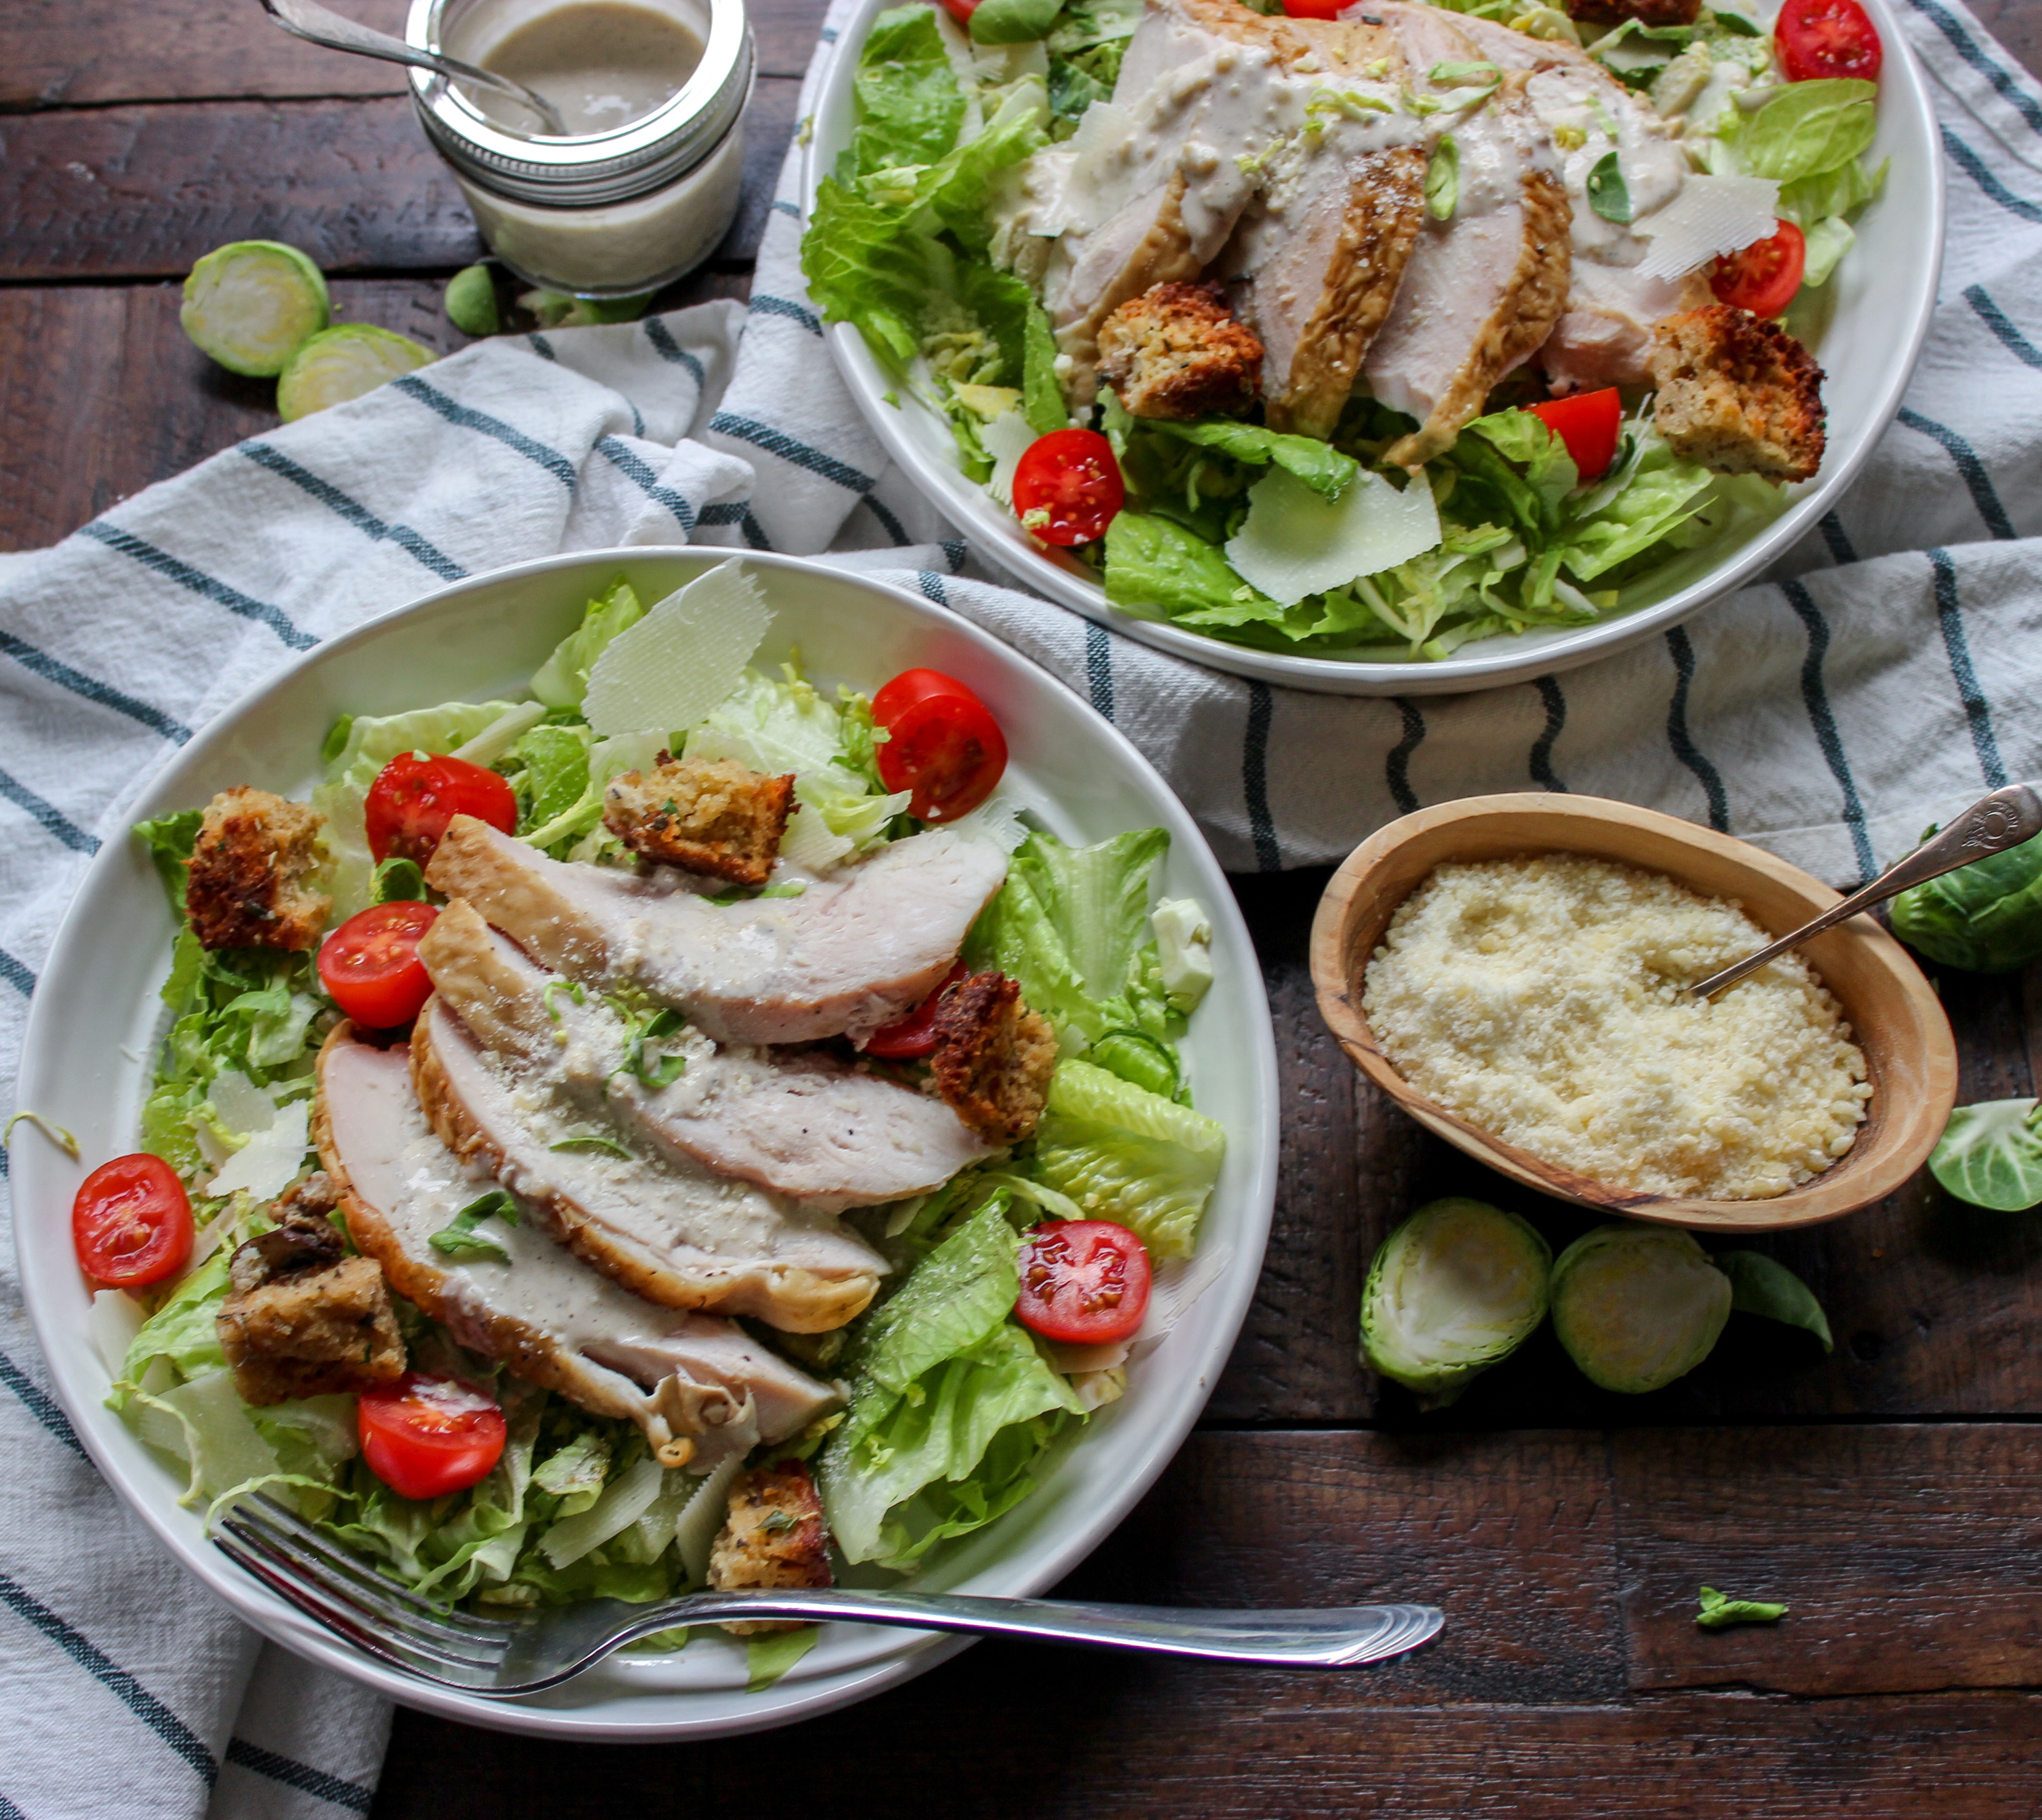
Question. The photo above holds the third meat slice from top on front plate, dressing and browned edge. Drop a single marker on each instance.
(663, 1227)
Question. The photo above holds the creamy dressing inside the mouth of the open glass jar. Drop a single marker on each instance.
(601, 62)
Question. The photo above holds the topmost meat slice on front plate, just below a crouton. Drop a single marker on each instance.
(844, 959)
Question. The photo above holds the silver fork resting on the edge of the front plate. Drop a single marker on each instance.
(503, 1658)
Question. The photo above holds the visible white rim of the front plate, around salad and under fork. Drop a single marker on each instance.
(483, 638)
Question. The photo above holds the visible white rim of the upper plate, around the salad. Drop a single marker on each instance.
(1867, 328)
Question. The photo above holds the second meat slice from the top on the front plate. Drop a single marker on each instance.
(808, 1127)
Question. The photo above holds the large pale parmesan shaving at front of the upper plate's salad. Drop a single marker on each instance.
(1298, 544)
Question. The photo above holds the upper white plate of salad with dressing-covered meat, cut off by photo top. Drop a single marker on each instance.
(1377, 348)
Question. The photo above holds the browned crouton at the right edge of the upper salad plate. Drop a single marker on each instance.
(1739, 395)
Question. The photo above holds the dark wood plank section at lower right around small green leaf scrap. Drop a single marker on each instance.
(1908, 1555)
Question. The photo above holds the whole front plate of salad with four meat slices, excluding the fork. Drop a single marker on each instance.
(650, 1071)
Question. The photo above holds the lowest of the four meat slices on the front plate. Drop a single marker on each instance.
(699, 1388)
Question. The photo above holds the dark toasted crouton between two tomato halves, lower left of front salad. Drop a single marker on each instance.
(303, 1319)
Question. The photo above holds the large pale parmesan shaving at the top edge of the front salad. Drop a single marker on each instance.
(683, 659)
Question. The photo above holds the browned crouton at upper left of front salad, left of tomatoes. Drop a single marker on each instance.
(250, 869)
